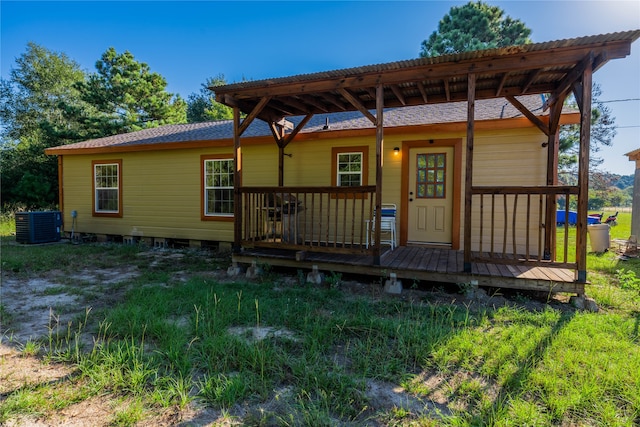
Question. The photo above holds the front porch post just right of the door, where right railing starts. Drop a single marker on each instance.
(468, 182)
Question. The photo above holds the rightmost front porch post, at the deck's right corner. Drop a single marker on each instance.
(583, 174)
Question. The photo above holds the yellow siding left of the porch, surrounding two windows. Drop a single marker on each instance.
(160, 196)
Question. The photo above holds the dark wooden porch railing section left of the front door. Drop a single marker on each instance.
(334, 219)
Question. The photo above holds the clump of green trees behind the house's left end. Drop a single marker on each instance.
(49, 101)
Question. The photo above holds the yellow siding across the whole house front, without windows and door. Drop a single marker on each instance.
(162, 189)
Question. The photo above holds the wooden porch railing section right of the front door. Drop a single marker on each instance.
(514, 226)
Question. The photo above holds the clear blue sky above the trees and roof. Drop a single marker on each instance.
(187, 42)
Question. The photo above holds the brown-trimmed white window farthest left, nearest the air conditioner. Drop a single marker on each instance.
(107, 193)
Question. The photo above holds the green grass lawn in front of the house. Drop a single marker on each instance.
(169, 343)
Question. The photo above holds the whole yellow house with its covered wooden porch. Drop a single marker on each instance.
(468, 144)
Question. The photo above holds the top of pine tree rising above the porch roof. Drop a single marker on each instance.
(474, 26)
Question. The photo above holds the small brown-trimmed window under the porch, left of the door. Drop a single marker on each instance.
(349, 166)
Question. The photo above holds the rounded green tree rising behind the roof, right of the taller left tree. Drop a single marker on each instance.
(127, 96)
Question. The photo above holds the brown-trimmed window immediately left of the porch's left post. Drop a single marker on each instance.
(217, 187)
